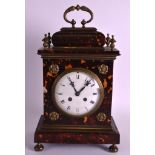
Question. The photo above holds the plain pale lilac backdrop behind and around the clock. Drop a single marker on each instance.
(110, 16)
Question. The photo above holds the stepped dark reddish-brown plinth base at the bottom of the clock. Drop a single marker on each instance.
(44, 134)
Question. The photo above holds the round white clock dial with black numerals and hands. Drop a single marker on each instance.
(78, 92)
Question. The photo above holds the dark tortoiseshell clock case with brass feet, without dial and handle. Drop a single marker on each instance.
(77, 48)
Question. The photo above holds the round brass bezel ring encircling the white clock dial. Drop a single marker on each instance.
(94, 76)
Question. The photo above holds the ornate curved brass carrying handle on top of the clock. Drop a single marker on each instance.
(83, 8)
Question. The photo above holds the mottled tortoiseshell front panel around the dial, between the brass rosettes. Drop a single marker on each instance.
(66, 64)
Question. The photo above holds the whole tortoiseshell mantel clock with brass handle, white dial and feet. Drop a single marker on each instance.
(77, 86)
